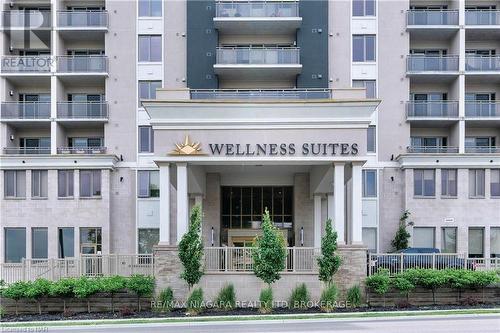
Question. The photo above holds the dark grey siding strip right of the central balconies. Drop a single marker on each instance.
(312, 38)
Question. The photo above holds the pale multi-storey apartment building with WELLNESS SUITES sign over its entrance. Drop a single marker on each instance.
(395, 103)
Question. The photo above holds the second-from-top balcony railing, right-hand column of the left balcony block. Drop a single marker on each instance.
(82, 64)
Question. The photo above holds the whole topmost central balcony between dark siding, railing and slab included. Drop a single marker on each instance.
(257, 17)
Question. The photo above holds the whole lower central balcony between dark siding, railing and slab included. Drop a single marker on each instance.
(258, 63)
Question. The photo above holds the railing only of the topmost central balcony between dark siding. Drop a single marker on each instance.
(257, 9)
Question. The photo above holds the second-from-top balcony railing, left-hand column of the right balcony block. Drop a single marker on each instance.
(422, 64)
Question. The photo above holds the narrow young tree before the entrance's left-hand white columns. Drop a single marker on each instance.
(191, 250)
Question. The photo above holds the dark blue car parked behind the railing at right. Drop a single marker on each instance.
(419, 257)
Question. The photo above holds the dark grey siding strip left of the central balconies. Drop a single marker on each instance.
(201, 44)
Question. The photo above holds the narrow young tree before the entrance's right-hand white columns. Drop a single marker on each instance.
(329, 262)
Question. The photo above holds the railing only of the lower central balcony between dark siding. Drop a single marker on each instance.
(258, 56)
